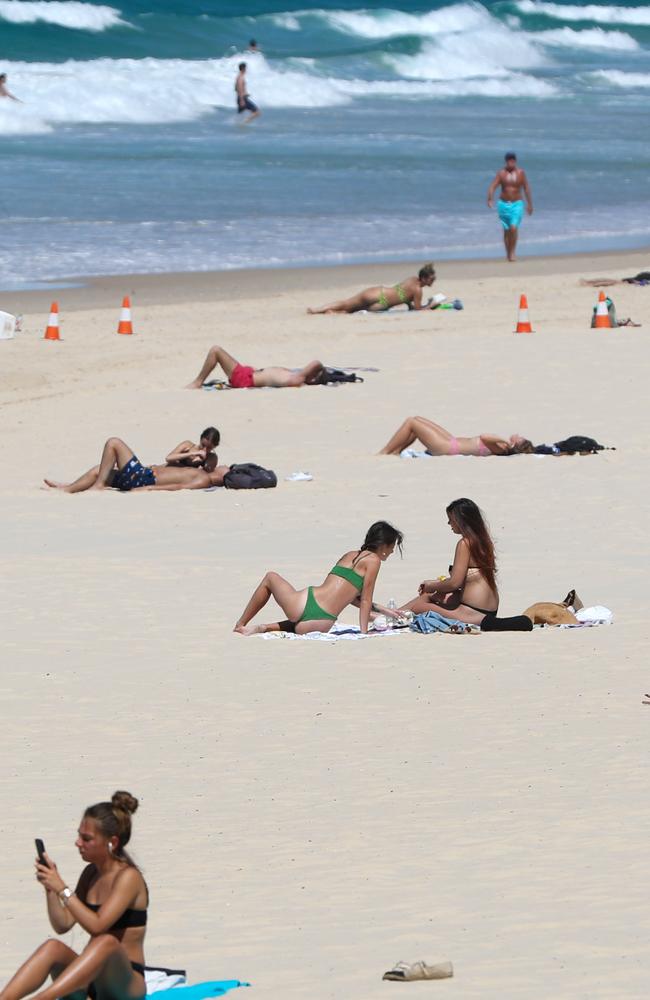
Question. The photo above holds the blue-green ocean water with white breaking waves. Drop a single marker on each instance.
(381, 128)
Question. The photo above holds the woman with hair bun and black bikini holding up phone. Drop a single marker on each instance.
(109, 902)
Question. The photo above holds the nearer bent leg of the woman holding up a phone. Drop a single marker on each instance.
(103, 962)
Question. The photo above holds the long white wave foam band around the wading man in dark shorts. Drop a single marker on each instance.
(149, 91)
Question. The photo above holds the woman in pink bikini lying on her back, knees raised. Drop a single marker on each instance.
(439, 441)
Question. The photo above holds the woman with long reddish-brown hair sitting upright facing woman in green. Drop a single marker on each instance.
(470, 592)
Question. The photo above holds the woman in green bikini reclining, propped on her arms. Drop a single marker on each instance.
(315, 609)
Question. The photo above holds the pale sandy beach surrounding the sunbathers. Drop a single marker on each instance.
(313, 812)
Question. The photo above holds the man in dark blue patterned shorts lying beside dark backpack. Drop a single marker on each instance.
(119, 469)
